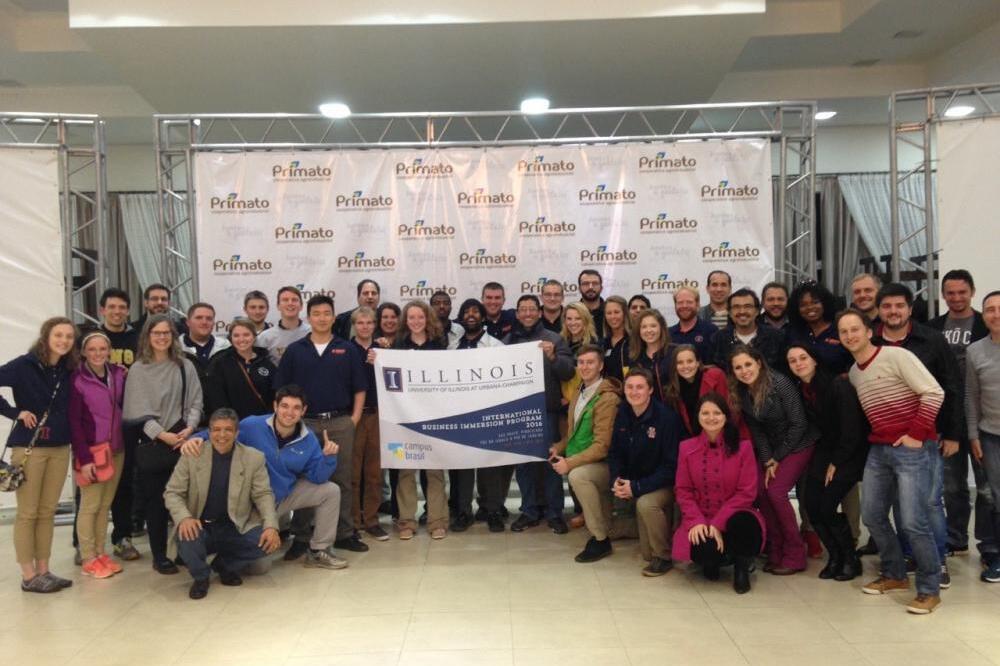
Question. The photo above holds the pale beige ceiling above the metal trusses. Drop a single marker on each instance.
(798, 49)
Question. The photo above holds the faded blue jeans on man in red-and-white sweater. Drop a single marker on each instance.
(906, 473)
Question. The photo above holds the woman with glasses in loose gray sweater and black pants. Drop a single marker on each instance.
(162, 394)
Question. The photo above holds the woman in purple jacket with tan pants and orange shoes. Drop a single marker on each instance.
(95, 416)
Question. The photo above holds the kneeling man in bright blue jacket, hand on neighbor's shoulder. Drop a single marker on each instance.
(299, 469)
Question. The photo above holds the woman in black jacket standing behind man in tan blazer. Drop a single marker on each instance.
(240, 377)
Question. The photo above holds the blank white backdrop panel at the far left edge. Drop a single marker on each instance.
(31, 269)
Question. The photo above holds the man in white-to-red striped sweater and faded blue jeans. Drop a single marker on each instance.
(901, 399)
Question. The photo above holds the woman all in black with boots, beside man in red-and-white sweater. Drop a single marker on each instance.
(832, 406)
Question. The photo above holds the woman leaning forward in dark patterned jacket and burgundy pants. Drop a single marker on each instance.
(783, 439)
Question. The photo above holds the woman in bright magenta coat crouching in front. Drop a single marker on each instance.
(715, 489)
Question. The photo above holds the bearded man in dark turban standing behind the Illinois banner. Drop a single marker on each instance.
(493, 482)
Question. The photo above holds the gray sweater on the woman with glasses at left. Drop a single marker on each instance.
(153, 394)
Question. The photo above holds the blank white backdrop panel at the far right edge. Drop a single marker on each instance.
(968, 153)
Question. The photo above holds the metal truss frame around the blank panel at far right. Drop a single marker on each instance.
(913, 115)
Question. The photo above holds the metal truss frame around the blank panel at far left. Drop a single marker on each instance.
(82, 154)
